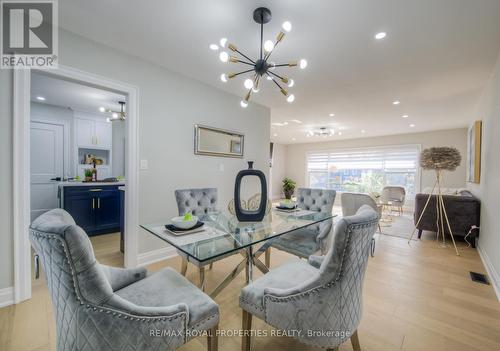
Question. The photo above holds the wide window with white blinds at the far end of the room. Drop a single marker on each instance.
(365, 170)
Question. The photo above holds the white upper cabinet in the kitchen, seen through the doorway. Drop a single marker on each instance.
(92, 133)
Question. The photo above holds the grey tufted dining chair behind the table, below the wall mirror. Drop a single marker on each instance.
(198, 201)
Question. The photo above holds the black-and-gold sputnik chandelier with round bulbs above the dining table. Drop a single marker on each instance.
(262, 67)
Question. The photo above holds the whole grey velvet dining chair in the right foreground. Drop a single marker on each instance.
(323, 294)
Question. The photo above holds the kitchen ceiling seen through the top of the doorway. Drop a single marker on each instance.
(73, 95)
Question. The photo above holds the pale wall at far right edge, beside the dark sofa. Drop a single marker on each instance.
(489, 189)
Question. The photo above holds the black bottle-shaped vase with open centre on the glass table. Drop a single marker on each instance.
(250, 215)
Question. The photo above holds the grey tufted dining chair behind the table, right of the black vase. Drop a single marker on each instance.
(307, 241)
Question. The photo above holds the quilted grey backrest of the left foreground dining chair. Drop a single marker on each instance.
(66, 253)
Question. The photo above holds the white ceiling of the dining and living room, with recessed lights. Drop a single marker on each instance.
(436, 58)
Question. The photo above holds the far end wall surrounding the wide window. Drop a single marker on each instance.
(296, 153)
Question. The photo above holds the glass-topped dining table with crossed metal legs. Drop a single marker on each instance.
(223, 235)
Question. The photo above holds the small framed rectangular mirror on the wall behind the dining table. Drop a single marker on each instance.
(210, 141)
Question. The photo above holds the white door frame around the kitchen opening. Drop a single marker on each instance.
(21, 169)
